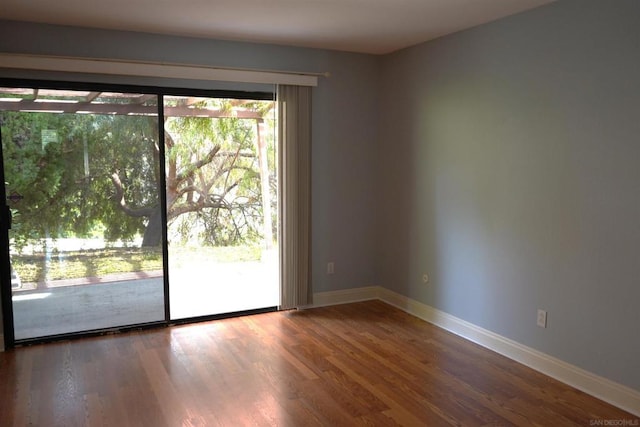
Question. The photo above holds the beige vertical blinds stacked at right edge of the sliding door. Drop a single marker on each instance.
(294, 133)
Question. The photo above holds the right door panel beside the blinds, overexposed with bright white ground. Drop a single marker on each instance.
(221, 205)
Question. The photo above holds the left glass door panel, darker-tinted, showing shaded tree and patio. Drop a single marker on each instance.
(82, 182)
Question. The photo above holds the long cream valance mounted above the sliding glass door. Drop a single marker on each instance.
(157, 69)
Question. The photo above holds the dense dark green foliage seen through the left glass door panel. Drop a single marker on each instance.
(62, 196)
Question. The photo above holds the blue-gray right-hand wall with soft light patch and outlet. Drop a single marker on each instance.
(509, 161)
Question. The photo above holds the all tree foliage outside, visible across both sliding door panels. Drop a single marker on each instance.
(69, 192)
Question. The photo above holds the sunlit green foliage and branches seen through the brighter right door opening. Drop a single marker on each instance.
(228, 186)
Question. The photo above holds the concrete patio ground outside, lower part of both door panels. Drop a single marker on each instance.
(122, 300)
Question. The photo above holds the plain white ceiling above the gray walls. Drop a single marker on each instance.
(366, 26)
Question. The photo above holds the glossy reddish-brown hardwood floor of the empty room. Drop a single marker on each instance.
(357, 364)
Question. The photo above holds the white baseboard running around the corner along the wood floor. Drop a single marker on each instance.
(616, 394)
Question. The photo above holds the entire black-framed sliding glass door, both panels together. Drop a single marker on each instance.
(130, 208)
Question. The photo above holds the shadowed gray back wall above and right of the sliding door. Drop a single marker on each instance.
(344, 128)
